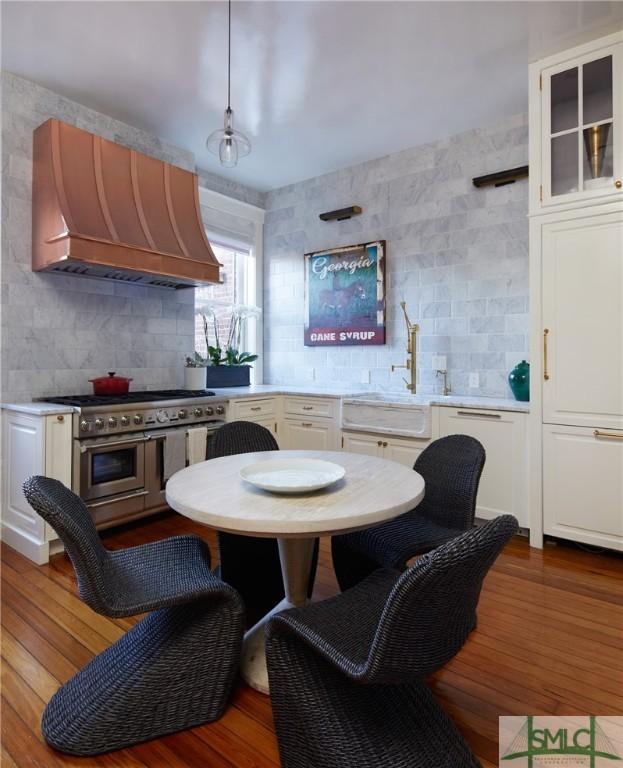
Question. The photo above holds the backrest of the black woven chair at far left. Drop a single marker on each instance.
(70, 518)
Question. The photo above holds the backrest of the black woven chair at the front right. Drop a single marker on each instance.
(432, 607)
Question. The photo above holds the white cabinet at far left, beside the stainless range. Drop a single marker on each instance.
(33, 445)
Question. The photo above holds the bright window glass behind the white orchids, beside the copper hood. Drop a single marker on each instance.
(236, 261)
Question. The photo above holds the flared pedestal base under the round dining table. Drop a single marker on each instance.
(296, 560)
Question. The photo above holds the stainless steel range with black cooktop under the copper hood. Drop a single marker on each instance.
(125, 446)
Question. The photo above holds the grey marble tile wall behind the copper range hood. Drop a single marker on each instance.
(58, 331)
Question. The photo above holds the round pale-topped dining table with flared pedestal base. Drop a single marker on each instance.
(213, 493)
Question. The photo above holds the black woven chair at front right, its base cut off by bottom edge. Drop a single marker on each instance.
(347, 675)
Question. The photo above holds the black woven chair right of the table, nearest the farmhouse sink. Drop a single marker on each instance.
(451, 468)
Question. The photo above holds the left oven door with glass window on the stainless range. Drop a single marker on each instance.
(112, 466)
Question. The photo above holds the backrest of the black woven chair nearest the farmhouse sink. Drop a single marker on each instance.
(451, 468)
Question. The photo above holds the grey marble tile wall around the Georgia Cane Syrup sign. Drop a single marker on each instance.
(456, 254)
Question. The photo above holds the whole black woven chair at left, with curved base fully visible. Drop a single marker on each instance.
(173, 670)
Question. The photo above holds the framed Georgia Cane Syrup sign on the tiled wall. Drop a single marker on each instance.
(345, 296)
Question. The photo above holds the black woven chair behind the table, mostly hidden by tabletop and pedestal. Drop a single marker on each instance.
(249, 563)
